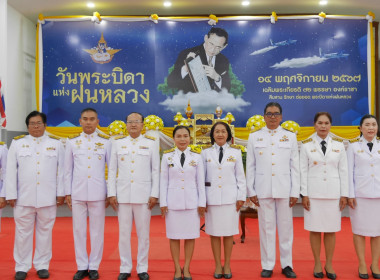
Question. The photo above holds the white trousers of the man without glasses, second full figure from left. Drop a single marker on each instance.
(96, 213)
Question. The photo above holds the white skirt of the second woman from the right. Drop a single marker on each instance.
(324, 215)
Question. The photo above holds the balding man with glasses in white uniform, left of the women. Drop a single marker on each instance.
(133, 190)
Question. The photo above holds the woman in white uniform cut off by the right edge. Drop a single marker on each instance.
(364, 166)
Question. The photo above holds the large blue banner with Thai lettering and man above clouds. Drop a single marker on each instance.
(118, 67)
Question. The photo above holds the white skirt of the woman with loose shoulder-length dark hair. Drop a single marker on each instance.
(222, 220)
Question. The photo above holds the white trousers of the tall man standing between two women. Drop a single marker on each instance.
(272, 212)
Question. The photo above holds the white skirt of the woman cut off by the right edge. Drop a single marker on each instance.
(365, 218)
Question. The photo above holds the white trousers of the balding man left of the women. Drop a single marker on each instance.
(141, 215)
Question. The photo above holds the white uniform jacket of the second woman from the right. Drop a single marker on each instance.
(323, 176)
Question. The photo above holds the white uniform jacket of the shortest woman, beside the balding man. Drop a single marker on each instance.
(182, 188)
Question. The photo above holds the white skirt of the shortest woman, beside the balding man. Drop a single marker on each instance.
(182, 224)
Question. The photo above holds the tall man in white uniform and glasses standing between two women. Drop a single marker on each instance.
(273, 182)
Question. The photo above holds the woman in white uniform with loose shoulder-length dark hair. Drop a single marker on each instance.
(225, 193)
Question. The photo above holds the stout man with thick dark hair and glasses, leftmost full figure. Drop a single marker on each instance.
(34, 187)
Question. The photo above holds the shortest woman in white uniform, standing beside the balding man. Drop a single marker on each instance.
(182, 197)
